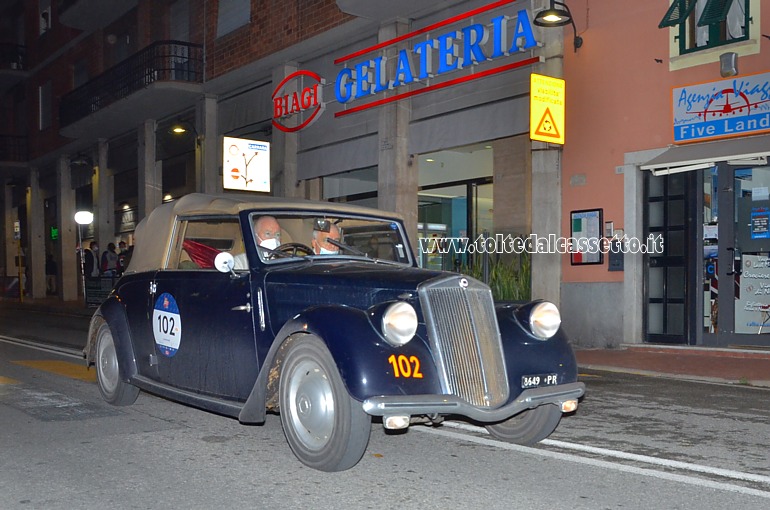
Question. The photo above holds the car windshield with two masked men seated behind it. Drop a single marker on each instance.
(283, 236)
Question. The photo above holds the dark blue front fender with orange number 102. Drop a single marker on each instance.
(367, 364)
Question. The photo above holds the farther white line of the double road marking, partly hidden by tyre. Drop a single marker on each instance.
(726, 473)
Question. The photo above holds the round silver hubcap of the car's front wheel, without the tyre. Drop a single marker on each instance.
(311, 404)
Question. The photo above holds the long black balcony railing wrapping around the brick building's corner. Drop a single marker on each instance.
(163, 61)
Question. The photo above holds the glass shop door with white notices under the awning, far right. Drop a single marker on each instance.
(736, 256)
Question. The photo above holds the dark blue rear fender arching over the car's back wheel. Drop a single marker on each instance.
(112, 312)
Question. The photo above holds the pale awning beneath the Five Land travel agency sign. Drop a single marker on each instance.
(748, 151)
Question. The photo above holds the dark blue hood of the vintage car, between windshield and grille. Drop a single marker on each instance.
(290, 290)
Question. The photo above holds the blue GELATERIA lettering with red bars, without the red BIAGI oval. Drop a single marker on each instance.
(428, 58)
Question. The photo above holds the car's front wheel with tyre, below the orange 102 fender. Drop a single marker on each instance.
(325, 428)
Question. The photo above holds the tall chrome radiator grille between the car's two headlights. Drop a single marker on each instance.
(460, 316)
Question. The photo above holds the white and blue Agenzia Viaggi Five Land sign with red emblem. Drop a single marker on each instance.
(722, 109)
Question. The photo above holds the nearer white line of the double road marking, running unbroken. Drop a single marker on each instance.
(690, 480)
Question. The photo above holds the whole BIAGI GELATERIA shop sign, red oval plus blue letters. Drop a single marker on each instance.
(480, 42)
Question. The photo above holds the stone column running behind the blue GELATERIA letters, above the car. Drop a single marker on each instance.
(396, 176)
